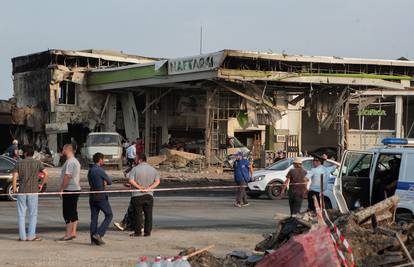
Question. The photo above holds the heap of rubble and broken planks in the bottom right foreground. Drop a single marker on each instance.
(374, 237)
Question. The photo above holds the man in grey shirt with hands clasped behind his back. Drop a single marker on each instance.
(145, 178)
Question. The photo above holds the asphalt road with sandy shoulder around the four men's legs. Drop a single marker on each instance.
(181, 220)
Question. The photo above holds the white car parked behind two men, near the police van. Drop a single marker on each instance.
(269, 180)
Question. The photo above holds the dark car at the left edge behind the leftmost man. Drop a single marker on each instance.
(7, 165)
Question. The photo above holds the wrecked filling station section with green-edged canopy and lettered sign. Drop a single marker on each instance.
(268, 101)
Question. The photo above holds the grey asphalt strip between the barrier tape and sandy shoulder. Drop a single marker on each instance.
(172, 210)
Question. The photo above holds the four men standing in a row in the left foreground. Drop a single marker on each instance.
(142, 177)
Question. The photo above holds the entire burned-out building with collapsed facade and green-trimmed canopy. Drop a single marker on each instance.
(201, 103)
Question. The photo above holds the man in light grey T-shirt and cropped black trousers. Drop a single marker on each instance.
(70, 183)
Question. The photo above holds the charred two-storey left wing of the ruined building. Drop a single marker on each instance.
(50, 92)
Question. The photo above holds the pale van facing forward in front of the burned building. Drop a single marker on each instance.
(107, 143)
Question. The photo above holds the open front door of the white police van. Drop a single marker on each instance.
(352, 187)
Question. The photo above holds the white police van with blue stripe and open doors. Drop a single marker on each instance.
(367, 177)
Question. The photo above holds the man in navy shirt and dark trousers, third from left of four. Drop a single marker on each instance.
(98, 178)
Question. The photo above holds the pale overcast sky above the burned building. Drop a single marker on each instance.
(170, 28)
